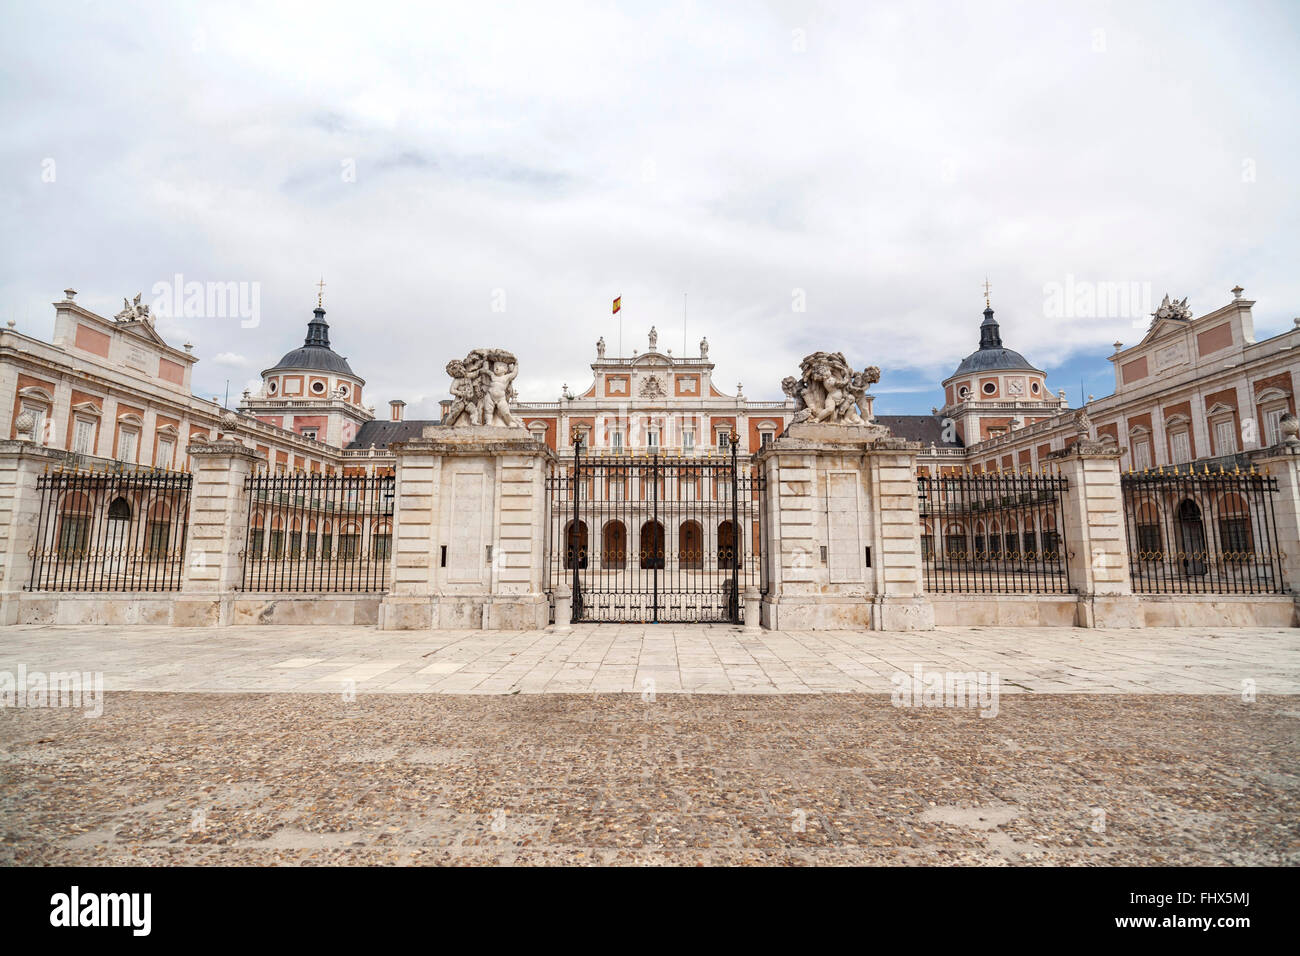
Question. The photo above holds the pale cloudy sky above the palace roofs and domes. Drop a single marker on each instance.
(809, 176)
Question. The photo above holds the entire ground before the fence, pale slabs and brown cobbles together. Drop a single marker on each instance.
(673, 746)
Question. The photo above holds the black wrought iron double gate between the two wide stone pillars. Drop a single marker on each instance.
(657, 538)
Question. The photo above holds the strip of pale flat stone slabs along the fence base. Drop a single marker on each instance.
(664, 659)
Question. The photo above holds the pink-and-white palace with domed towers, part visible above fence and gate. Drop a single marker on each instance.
(1194, 390)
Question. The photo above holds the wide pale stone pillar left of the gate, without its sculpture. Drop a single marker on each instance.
(470, 531)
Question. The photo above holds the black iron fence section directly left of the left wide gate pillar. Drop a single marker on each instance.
(318, 533)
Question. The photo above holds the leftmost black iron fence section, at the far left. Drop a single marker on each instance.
(111, 531)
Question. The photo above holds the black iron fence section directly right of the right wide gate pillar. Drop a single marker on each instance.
(994, 534)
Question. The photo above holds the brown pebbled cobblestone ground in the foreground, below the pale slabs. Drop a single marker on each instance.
(188, 778)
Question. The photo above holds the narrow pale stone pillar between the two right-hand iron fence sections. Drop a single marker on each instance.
(1094, 537)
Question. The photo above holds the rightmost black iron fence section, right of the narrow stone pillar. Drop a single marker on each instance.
(1203, 533)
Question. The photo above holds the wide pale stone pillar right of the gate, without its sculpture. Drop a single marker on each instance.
(844, 530)
